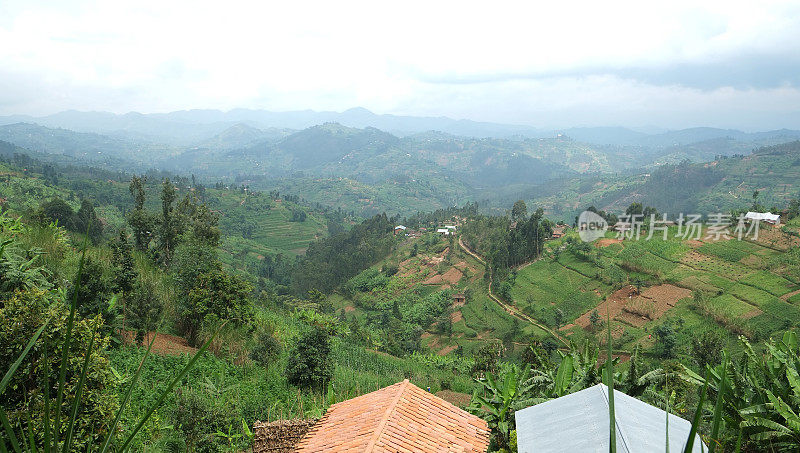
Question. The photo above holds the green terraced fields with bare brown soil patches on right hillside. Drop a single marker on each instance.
(729, 284)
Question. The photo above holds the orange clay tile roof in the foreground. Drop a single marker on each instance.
(398, 418)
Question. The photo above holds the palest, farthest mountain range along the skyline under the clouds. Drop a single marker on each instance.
(189, 127)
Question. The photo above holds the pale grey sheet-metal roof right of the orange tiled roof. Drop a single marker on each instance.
(579, 422)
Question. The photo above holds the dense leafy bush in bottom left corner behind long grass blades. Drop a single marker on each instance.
(20, 317)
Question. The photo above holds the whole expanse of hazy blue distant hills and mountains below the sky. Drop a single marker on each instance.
(359, 159)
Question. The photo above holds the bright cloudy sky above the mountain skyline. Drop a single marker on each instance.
(548, 64)
